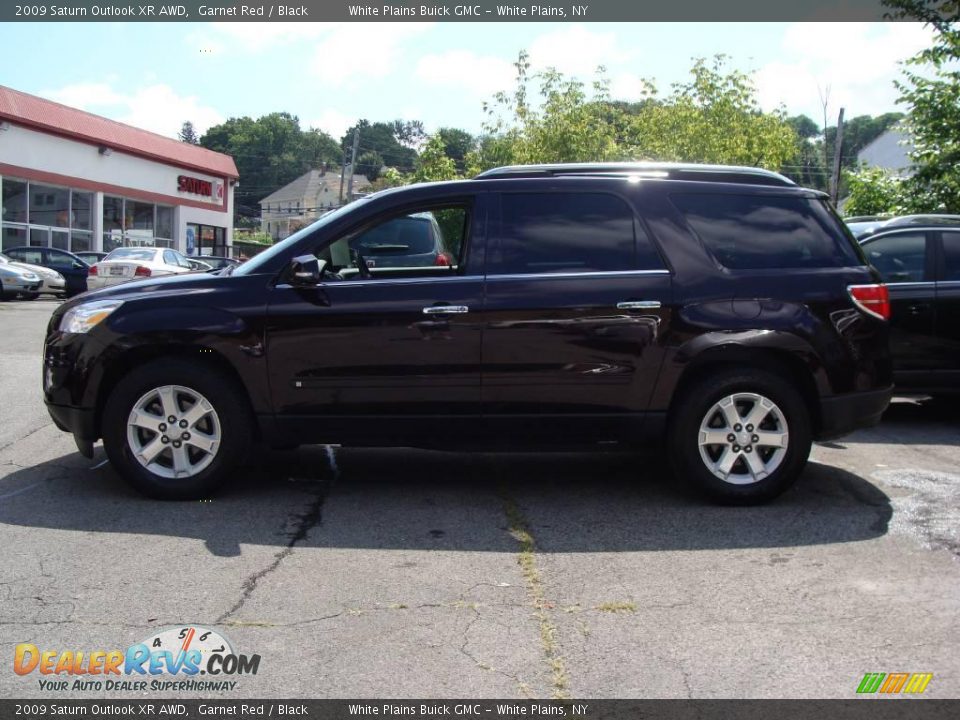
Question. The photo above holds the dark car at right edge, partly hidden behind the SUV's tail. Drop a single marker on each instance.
(918, 258)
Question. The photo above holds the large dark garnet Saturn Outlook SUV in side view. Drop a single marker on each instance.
(723, 314)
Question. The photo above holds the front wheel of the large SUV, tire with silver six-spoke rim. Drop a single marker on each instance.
(178, 468)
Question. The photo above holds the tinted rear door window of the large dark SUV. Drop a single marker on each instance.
(566, 232)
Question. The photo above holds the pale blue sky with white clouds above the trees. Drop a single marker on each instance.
(158, 75)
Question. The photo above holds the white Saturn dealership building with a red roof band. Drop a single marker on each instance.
(77, 181)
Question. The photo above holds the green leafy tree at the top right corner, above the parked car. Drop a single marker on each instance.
(930, 89)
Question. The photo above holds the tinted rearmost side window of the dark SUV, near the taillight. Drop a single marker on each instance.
(761, 232)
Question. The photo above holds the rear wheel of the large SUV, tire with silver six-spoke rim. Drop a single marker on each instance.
(712, 409)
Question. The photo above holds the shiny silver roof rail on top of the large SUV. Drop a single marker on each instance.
(668, 171)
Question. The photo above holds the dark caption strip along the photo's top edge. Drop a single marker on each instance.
(420, 11)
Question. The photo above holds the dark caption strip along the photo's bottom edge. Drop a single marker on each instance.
(874, 708)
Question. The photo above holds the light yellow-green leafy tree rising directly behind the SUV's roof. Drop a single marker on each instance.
(714, 117)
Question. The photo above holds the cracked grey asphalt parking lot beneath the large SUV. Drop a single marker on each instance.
(401, 573)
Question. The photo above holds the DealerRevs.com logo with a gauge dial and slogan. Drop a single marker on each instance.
(175, 659)
